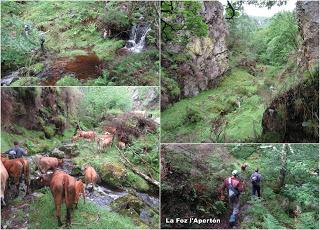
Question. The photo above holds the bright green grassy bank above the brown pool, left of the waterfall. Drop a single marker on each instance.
(68, 29)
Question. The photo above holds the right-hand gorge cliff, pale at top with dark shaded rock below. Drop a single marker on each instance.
(292, 117)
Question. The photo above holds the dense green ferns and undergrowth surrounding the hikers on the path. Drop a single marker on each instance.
(193, 175)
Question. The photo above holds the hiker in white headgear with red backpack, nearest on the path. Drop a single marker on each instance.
(234, 188)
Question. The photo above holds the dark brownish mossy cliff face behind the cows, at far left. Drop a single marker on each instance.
(34, 108)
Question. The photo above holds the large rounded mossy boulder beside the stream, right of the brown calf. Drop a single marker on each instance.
(114, 174)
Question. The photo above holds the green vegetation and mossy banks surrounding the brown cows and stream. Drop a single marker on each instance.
(90, 109)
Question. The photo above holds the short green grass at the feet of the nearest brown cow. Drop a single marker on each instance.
(87, 216)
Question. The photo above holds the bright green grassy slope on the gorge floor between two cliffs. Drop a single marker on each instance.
(243, 124)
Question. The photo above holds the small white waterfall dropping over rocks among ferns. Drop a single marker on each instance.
(138, 34)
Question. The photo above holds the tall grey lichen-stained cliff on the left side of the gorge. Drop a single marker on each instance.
(209, 58)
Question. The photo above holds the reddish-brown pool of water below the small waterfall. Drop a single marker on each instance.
(83, 67)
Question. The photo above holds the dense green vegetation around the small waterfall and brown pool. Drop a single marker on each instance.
(76, 29)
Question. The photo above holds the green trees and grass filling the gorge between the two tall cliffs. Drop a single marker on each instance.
(263, 54)
